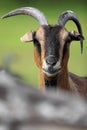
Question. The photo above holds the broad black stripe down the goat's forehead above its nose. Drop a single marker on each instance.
(52, 40)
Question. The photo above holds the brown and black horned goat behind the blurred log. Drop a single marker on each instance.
(51, 50)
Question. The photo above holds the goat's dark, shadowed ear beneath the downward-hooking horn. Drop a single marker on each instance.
(76, 36)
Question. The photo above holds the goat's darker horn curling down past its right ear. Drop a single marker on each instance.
(70, 15)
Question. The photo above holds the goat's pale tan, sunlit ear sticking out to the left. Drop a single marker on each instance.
(28, 37)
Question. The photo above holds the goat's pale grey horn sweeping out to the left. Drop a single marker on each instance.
(38, 15)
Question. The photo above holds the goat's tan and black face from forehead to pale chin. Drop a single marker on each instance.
(50, 46)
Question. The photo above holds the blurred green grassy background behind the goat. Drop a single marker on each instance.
(13, 28)
